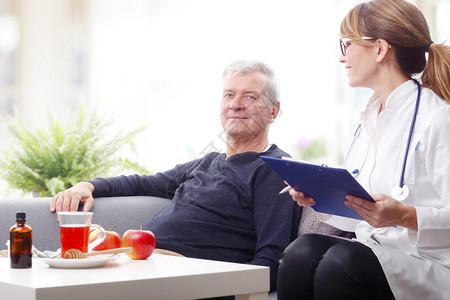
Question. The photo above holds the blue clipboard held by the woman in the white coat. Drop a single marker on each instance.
(327, 185)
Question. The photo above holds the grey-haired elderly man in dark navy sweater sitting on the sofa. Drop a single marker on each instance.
(225, 206)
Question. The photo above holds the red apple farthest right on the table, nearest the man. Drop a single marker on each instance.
(143, 243)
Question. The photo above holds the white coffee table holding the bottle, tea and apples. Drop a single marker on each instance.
(159, 277)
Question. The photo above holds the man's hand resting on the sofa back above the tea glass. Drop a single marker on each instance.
(70, 199)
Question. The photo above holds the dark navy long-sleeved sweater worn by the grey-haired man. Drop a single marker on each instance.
(221, 209)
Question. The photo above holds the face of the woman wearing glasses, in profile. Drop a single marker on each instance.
(361, 66)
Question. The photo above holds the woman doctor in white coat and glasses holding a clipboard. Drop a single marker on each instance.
(400, 154)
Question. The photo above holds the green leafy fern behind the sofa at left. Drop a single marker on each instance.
(46, 162)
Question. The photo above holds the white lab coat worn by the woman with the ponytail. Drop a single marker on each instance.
(416, 264)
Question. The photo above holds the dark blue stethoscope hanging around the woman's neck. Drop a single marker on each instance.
(400, 191)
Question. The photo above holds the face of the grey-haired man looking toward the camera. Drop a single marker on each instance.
(245, 112)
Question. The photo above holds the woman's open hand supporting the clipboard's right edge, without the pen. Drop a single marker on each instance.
(385, 212)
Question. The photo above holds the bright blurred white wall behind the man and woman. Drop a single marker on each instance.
(159, 62)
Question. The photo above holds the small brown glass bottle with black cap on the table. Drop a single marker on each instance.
(20, 243)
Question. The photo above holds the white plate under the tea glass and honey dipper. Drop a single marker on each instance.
(89, 262)
